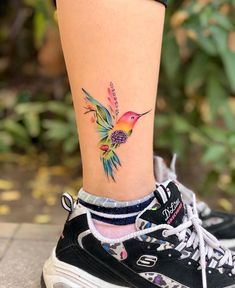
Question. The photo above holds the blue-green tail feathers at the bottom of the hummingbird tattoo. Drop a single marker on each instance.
(110, 162)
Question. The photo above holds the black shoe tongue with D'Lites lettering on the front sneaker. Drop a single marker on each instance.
(166, 208)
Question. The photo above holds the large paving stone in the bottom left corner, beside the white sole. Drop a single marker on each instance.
(22, 264)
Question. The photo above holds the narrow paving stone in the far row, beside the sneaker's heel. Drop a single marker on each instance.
(38, 232)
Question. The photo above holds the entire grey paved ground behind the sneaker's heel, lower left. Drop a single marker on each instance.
(23, 250)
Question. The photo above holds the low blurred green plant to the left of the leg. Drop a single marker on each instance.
(48, 124)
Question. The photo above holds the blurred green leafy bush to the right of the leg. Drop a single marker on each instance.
(197, 86)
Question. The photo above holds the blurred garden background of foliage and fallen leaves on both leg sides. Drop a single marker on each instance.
(39, 153)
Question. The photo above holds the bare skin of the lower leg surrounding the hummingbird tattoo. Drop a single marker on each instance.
(116, 41)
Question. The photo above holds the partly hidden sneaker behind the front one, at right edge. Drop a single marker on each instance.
(220, 224)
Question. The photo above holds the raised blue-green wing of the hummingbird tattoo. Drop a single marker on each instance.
(104, 119)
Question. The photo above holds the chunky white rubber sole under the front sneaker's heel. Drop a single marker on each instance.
(58, 274)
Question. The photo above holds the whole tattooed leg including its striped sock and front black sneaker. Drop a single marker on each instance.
(119, 41)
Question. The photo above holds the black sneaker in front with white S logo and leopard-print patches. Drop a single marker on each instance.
(169, 249)
